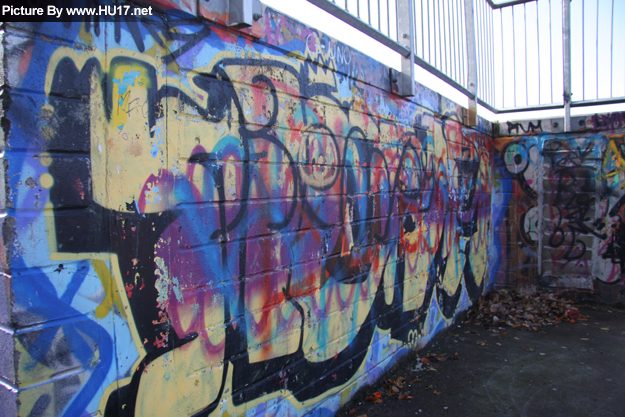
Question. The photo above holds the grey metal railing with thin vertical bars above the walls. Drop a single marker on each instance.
(508, 57)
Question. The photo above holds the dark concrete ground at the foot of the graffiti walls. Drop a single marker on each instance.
(562, 370)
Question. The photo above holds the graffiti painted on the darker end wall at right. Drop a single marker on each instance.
(579, 220)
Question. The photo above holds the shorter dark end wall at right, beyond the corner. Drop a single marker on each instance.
(558, 215)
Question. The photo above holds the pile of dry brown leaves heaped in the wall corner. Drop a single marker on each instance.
(529, 312)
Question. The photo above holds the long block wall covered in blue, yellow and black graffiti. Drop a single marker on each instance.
(205, 221)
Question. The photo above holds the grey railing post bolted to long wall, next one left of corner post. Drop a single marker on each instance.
(405, 24)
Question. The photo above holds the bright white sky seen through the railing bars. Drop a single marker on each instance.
(516, 81)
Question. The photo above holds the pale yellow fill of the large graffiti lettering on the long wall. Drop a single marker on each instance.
(129, 157)
